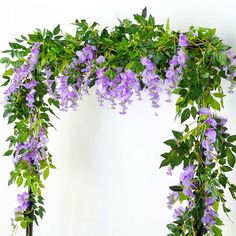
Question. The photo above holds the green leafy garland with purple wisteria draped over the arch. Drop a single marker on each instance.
(59, 70)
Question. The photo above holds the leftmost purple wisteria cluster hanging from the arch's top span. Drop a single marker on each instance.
(68, 93)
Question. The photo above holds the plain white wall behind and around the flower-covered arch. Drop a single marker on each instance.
(107, 181)
